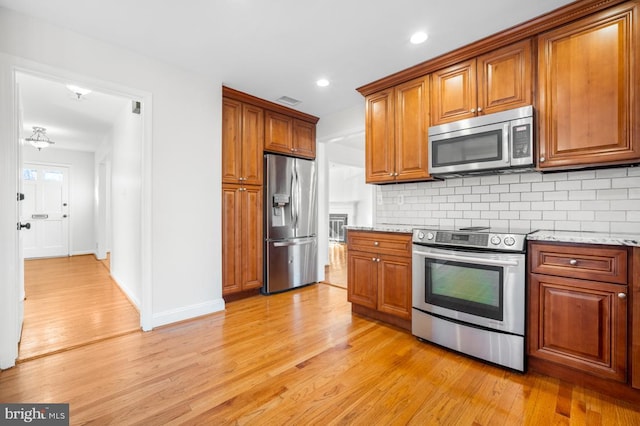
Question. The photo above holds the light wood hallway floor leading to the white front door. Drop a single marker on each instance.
(72, 301)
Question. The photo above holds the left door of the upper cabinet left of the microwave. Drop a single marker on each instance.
(379, 137)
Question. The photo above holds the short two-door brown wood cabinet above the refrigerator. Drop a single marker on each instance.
(289, 135)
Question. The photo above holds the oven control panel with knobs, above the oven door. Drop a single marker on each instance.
(480, 240)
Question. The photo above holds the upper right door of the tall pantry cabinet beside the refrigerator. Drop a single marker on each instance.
(252, 144)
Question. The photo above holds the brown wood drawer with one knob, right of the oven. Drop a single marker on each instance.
(597, 263)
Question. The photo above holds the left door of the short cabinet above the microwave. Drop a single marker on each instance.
(453, 92)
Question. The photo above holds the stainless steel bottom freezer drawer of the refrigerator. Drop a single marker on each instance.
(290, 263)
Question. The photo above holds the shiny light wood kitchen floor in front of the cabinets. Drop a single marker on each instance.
(295, 358)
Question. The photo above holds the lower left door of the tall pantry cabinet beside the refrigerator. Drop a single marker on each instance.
(231, 239)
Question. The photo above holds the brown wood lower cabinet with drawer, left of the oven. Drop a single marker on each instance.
(379, 276)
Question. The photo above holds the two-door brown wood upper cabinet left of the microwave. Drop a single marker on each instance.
(396, 123)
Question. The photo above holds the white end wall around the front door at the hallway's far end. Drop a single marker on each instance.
(81, 192)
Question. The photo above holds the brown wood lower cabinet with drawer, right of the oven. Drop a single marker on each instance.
(580, 319)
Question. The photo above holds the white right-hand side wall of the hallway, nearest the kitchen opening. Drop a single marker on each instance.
(126, 203)
